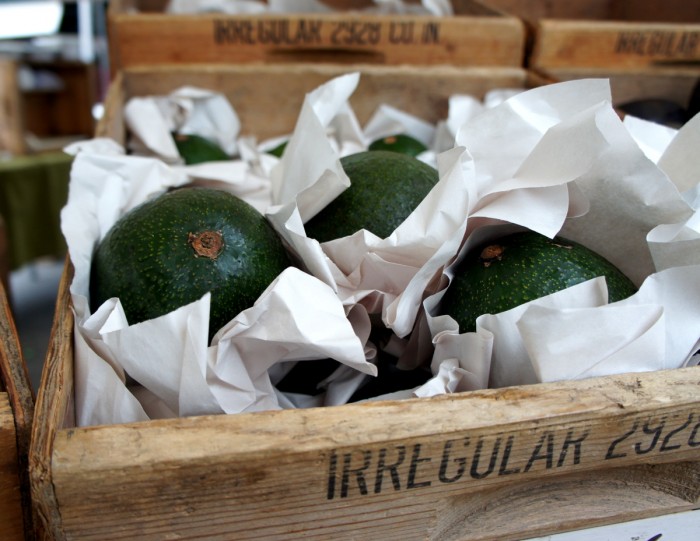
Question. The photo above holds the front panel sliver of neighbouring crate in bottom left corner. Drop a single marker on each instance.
(11, 515)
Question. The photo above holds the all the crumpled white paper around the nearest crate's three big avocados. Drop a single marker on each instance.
(556, 159)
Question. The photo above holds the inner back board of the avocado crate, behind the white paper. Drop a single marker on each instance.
(268, 98)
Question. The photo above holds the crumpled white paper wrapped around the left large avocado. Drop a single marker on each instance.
(176, 371)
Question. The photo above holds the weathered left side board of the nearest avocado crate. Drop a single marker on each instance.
(50, 411)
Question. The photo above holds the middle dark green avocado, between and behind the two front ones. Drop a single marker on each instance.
(385, 188)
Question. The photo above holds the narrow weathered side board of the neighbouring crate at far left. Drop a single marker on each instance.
(15, 379)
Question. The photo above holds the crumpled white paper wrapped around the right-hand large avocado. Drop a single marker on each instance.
(641, 195)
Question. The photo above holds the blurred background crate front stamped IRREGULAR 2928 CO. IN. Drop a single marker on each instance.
(142, 33)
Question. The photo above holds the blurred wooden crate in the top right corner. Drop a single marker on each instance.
(612, 33)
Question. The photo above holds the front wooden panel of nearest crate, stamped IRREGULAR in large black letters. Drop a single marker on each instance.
(394, 469)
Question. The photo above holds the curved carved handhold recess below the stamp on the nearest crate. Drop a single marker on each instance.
(573, 502)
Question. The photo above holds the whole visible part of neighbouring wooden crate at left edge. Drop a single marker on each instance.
(16, 411)
